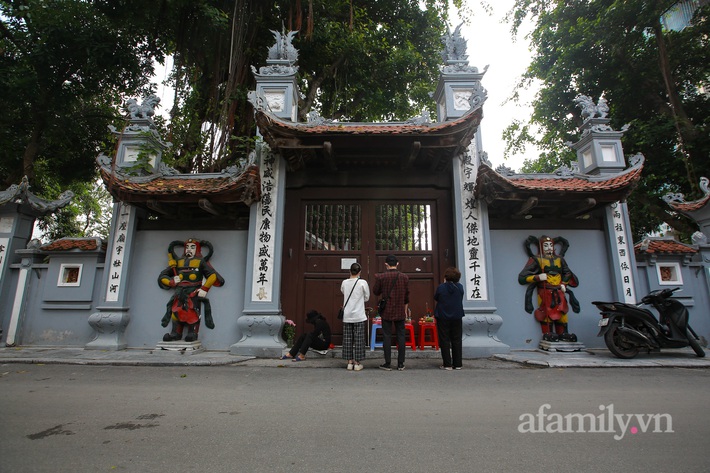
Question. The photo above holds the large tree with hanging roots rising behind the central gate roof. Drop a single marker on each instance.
(358, 61)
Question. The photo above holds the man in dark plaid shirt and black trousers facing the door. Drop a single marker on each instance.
(394, 286)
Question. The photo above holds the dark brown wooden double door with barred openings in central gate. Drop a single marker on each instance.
(324, 235)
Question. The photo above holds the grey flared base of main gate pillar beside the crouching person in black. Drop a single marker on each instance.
(261, 336)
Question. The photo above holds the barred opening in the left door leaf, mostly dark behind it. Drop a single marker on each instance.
(333, 227)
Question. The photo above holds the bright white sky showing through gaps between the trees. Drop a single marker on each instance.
(489, 42)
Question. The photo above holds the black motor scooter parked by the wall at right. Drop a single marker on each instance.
(628, 328)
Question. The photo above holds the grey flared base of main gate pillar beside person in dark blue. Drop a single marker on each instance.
(480, 335)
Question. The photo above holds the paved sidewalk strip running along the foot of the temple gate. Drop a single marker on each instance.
(419, 359)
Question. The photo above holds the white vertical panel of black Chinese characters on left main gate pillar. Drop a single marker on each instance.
(263, 264)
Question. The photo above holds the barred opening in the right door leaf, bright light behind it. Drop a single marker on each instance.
(403, 227)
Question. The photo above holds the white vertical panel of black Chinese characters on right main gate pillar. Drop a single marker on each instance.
(474, 253)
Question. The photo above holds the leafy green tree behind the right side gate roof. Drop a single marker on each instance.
(651, 77)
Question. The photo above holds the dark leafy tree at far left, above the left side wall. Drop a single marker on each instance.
(64, 70)
